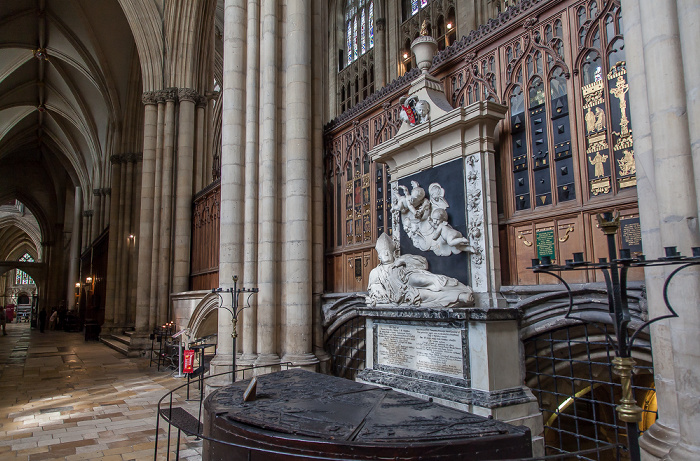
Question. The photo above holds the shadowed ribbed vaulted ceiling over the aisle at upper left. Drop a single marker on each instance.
(69, 73)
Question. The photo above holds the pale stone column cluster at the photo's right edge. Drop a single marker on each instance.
(662, 66)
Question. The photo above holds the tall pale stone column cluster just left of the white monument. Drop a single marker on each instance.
(271, 174)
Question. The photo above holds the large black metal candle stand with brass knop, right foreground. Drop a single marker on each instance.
(615, 272)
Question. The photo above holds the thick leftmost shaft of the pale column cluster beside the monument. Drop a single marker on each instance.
(232, 168)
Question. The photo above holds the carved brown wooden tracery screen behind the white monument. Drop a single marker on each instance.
(552, 64)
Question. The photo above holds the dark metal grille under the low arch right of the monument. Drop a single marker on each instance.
(570, 372)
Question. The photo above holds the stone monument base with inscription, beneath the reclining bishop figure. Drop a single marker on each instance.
(465, 358)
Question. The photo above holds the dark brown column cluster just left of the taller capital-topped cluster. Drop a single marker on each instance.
(123, 219)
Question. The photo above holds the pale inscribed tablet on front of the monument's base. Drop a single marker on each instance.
(425, 349)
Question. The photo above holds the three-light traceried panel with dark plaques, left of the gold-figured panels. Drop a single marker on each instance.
(542, 157)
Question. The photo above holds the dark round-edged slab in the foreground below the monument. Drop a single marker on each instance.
(303, 415)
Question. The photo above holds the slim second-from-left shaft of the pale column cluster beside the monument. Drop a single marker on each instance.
(250, 233)
